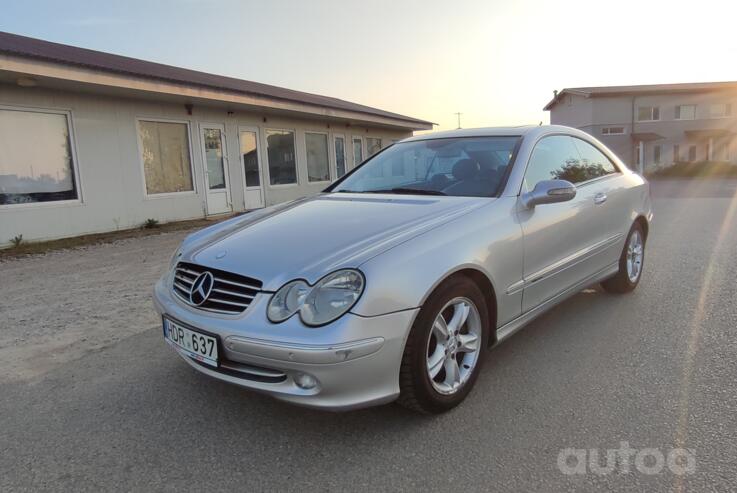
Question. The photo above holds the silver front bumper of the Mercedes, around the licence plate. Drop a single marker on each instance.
(355, 360)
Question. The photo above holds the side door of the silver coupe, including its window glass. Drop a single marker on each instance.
(559, 240)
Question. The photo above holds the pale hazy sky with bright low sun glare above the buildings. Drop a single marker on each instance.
(496, 62)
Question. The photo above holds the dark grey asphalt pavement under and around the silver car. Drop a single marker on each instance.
(656, 369)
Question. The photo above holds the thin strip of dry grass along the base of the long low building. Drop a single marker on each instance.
(23, 247)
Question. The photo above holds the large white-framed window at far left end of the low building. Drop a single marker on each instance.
(37, 161)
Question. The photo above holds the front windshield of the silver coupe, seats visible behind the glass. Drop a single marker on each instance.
(462, 167)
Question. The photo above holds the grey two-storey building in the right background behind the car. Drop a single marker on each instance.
(655, 125)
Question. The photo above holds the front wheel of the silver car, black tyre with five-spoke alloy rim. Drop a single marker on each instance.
(448, 388)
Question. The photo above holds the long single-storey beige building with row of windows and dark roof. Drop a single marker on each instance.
(93, 142)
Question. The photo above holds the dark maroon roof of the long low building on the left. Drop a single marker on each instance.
(23, 46)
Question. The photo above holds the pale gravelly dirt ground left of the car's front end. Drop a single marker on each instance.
(61, 305)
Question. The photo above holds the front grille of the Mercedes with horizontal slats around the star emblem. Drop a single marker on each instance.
(230, 293)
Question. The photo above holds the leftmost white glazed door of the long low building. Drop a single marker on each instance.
(216, 168)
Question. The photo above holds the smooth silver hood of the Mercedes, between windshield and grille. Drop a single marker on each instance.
(311, 237)
